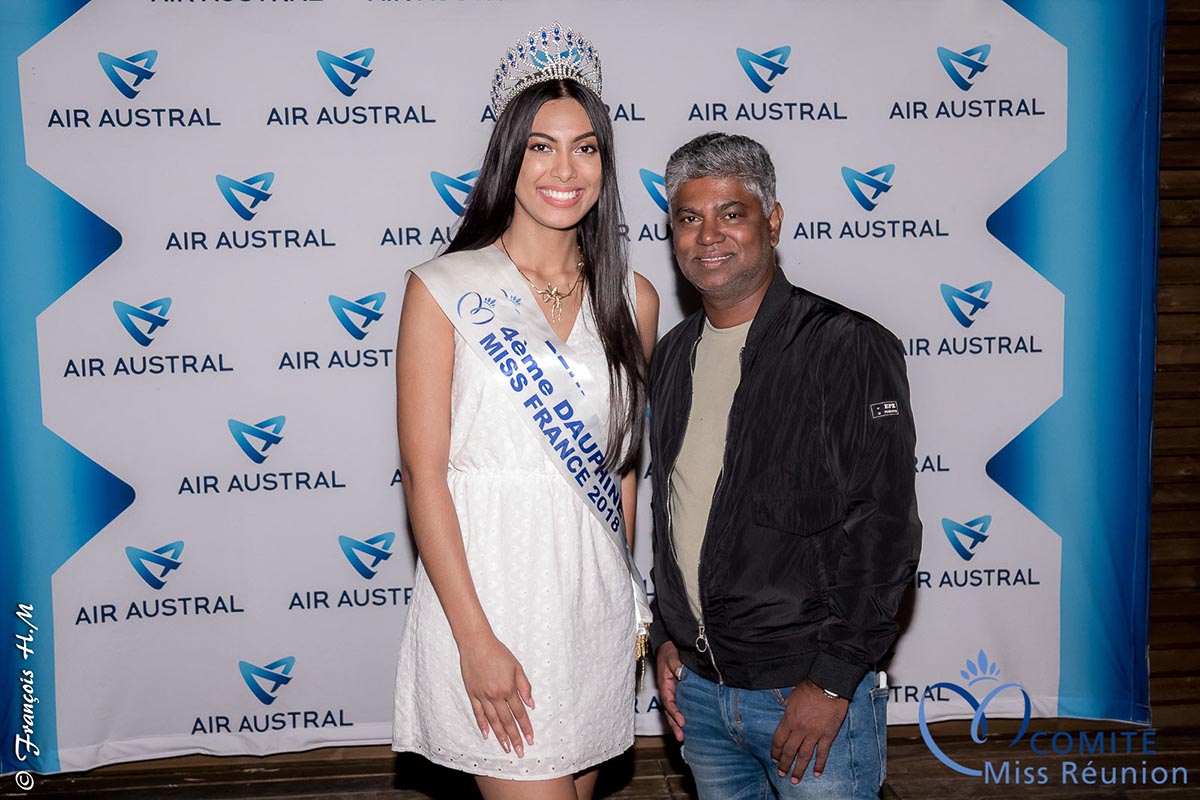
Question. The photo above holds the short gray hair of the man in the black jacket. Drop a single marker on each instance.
(724, 155)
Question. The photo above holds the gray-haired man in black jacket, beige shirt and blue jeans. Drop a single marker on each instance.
(785, 516)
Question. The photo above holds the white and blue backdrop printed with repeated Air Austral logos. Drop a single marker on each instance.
(205, 261)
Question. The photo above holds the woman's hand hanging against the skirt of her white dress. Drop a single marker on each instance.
(500, 693)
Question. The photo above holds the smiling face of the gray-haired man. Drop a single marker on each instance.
(724, 243)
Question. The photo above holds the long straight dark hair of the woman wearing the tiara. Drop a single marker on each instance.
(489, 214)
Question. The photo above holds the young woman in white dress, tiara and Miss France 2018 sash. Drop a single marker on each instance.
(518, 659)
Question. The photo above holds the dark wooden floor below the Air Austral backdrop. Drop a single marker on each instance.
(651, 771)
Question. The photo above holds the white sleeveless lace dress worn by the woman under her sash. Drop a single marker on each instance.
(551, 582)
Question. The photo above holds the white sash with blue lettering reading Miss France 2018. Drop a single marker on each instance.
(493, 308)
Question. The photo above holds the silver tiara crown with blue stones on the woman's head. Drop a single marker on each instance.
(547, 55)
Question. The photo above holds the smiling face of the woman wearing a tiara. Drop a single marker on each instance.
(560, 178)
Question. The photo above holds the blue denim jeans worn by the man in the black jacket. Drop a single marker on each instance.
(728, 744)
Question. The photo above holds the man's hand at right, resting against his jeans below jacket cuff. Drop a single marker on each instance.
(809, 726)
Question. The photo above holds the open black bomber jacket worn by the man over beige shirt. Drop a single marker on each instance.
(813, 534)
